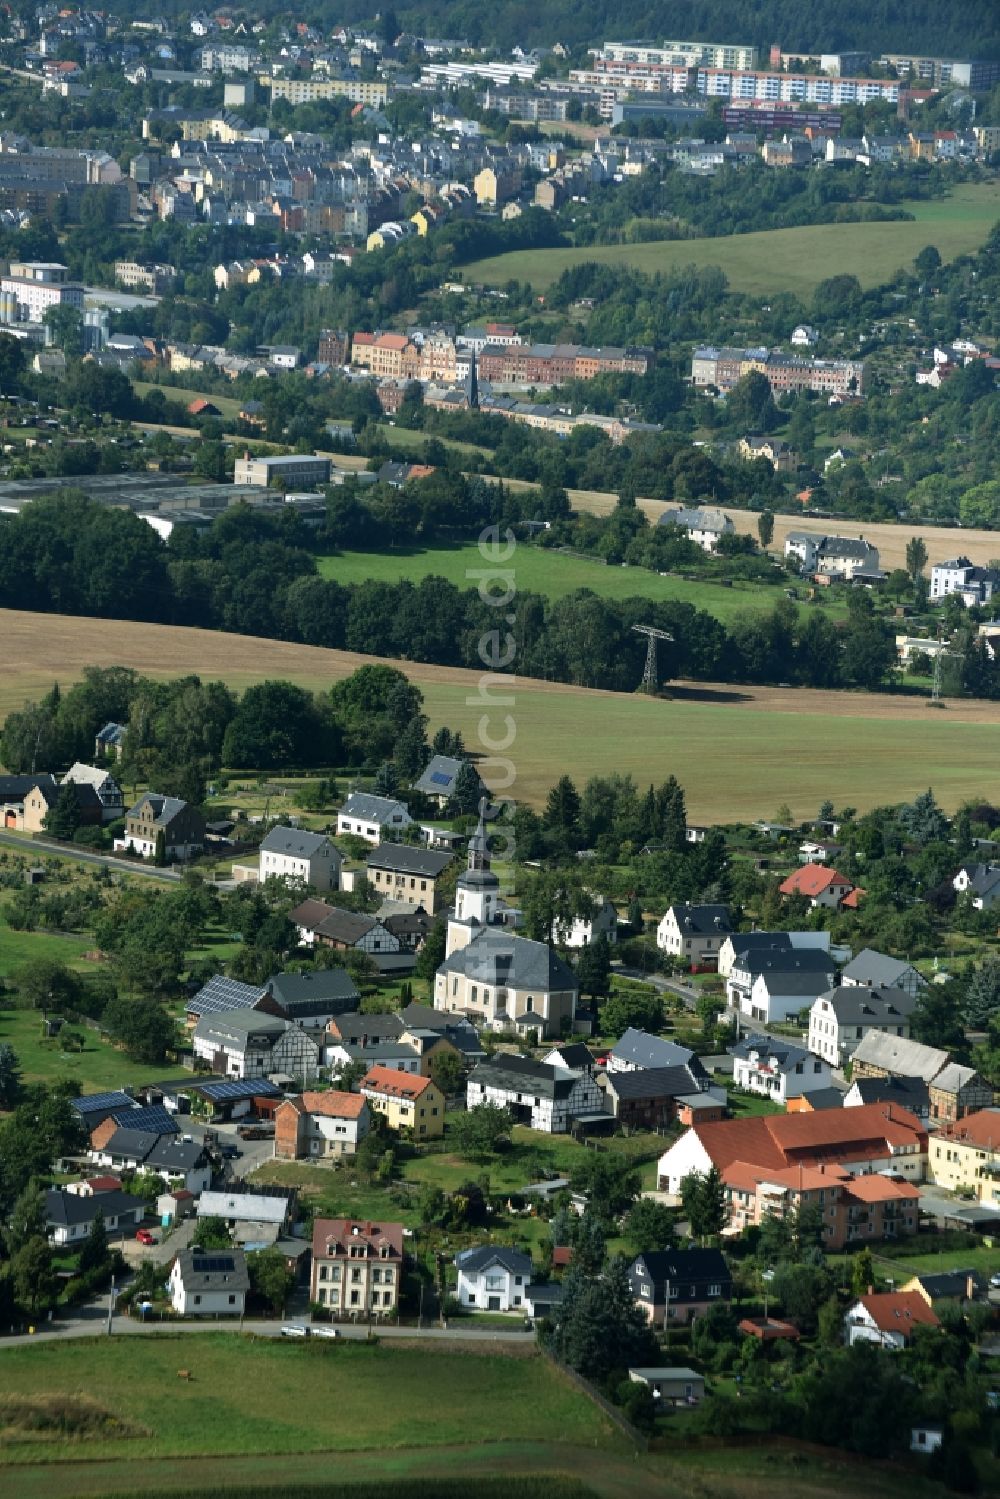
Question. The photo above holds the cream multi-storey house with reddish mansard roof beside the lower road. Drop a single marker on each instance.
(358, 1269)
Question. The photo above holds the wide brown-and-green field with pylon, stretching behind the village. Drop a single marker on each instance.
(738, 752)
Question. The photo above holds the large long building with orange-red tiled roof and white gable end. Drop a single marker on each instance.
(869, 1140)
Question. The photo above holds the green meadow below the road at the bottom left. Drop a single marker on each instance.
(262, 1396)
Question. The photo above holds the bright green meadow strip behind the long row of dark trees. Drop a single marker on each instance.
(554, 575)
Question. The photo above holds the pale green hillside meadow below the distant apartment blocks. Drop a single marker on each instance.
(782, 260)
